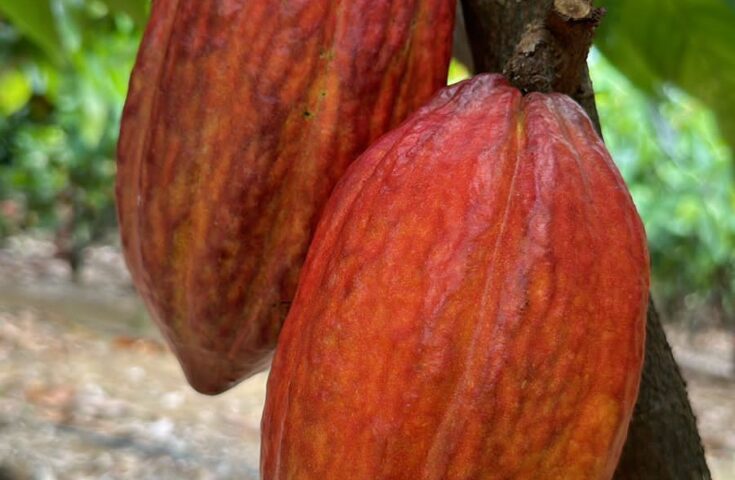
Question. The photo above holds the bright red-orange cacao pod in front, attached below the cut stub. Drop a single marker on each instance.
(472, 305)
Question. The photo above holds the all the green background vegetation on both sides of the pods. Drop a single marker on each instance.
(664, 72)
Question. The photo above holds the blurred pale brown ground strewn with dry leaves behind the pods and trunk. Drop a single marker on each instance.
(88, 390)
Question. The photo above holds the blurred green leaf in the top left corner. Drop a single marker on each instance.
(35, 19)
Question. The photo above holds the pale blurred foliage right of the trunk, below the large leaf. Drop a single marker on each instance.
(681, 174)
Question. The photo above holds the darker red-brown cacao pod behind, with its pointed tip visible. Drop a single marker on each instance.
(241, 117)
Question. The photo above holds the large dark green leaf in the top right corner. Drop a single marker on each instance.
(688, 43)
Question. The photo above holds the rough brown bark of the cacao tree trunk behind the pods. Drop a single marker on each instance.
(542, 45)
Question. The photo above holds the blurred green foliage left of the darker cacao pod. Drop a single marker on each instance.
(61, 94)
